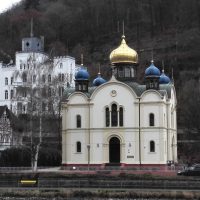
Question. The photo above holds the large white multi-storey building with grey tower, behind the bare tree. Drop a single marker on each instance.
(35, 77)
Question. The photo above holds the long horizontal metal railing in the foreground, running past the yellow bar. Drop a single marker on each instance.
(105, 184)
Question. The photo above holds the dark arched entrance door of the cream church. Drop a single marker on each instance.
(114, 150)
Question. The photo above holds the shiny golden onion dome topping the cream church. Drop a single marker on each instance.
(123, 54)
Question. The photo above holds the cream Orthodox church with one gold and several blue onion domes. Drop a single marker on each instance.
(120, 121)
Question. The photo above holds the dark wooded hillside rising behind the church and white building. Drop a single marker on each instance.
(168, 30)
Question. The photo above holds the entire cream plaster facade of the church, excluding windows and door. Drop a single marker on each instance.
(151, 102)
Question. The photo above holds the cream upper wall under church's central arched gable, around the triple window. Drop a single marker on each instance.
(102, 97)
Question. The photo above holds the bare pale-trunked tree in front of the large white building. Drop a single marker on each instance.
(39, 90)
